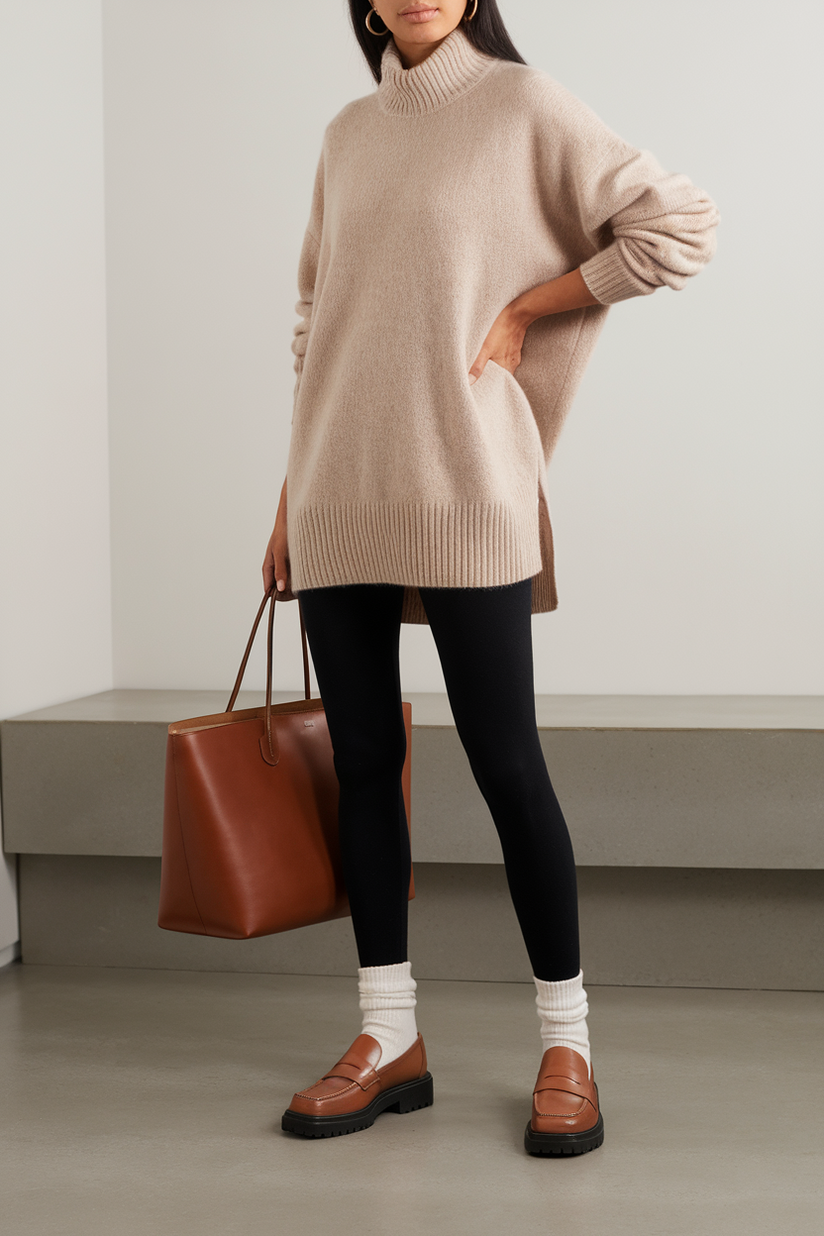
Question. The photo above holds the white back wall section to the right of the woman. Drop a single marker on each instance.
(687, 494)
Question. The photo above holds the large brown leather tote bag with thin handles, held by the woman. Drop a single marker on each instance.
(250, 821)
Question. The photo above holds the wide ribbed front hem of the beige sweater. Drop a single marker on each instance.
(435, 546)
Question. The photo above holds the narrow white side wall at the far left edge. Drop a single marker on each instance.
(55, 573)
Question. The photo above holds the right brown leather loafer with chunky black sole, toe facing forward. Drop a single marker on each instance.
(566, 1118)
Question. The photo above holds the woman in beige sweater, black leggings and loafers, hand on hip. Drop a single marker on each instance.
(470, 227)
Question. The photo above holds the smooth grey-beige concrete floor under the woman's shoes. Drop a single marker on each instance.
(141, 1103)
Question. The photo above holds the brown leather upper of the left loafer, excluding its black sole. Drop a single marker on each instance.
(358, 1080)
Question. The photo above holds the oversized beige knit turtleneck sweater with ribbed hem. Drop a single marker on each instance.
(440, 197)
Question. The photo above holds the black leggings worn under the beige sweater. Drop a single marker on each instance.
(485, 642)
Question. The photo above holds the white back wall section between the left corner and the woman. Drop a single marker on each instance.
(216, 112)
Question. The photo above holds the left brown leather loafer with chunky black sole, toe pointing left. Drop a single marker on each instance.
(356, 1091)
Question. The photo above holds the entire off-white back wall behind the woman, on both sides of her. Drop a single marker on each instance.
(686, 489)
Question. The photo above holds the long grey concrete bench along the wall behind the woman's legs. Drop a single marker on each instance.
(696, 820)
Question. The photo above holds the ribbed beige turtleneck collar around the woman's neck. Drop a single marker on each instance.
(447, 74)
